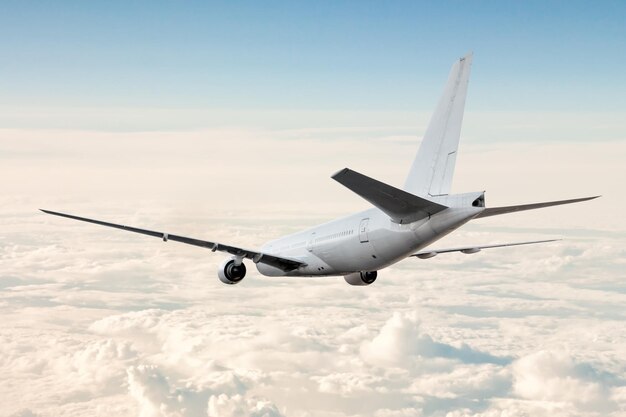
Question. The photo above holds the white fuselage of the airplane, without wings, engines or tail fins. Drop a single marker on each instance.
(365, 241)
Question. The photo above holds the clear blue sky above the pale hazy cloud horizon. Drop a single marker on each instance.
(390, 56)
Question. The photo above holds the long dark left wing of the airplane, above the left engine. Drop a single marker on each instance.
(284, 264)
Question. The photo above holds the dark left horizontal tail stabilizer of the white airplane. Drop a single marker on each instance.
(401, 206)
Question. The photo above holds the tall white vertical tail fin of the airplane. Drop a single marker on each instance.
(433, 167)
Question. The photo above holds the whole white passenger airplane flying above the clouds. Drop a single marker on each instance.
(401, 223)
